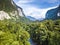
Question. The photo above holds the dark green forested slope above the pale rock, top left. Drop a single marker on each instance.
(6, 5)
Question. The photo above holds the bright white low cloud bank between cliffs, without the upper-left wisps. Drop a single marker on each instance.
(36, 12)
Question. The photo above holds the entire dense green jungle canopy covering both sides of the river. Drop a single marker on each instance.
(42, 33)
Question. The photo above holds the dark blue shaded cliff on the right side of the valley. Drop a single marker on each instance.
(53, 13)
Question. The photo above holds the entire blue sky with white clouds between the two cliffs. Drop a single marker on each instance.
(37, 8)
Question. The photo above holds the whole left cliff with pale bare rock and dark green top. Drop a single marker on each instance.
(9, 10)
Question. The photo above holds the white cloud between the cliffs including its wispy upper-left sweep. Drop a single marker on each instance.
(33, 11)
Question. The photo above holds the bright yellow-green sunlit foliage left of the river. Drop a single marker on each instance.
(11, 33)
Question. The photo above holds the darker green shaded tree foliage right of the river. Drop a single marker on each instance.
(46, 32)
